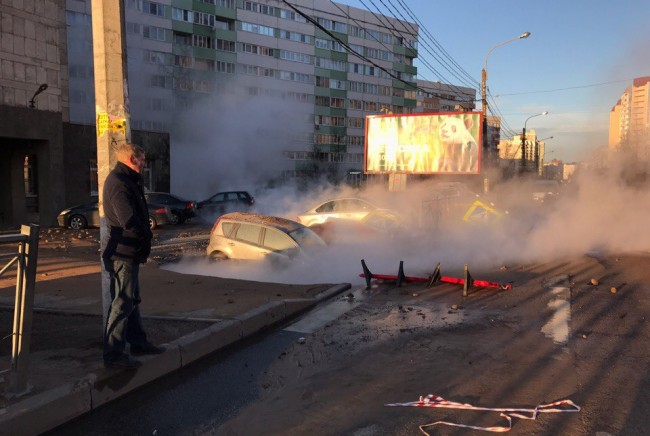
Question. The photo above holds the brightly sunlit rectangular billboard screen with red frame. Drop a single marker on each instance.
(433, 143)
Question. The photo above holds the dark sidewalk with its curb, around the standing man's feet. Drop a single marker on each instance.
(193, 315)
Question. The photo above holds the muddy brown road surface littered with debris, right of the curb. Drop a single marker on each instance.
(492, 349)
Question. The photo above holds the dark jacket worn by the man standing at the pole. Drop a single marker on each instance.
(127, 216)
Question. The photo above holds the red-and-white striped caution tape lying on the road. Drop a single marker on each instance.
(430, 400)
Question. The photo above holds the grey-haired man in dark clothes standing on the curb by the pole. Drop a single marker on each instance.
(129, 245)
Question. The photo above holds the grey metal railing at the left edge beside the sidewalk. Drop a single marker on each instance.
(26, 260)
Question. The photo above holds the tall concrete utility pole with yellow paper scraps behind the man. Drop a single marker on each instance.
(111, 105)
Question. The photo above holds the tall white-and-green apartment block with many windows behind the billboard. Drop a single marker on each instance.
(327, 66)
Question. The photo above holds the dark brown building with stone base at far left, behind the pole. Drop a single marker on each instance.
(47, 160)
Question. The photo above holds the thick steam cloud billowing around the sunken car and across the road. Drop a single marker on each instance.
(237, 143)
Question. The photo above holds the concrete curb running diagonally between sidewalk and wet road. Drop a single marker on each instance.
(49, 409)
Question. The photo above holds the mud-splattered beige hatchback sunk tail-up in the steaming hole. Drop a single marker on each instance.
(248, 236)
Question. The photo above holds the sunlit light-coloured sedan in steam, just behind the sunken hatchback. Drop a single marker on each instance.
(343, 208)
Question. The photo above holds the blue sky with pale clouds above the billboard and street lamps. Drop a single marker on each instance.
(579, 59)
